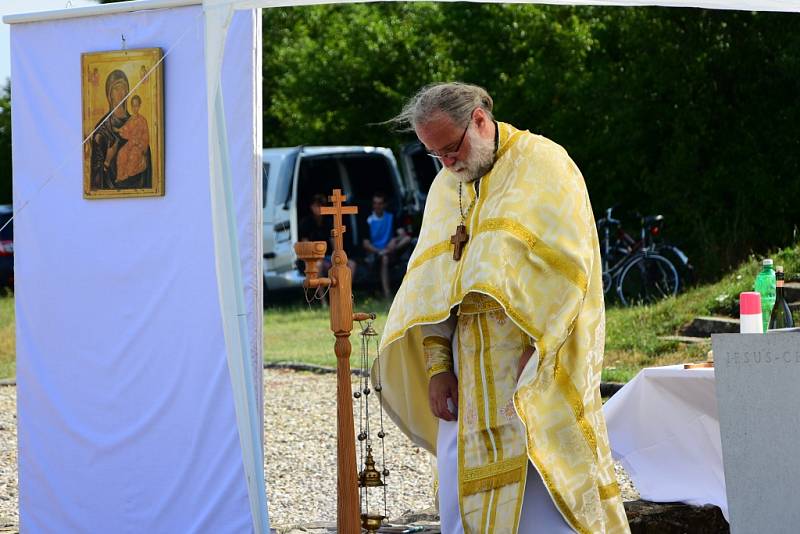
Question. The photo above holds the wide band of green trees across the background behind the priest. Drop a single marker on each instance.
(687, 112)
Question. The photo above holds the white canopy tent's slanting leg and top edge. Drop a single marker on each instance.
(218, 15)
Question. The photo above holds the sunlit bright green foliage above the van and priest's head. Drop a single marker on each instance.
(332, 73)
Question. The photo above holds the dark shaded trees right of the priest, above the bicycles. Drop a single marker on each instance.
(691, 113)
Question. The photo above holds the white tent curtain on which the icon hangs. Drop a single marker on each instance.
(124, 393)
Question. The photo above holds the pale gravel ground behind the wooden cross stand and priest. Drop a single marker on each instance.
(300, 455)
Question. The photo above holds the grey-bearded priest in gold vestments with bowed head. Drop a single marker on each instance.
(493, 348)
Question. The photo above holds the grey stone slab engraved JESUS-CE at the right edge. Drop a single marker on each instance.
(757, 379)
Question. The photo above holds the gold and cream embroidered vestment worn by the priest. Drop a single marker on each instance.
(533, 253)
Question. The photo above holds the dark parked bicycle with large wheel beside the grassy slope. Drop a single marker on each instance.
(633, 268)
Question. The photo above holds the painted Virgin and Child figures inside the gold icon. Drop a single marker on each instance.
(120, 144)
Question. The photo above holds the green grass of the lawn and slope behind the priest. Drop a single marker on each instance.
(301, 333)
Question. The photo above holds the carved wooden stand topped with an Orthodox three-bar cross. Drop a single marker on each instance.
(341, 305)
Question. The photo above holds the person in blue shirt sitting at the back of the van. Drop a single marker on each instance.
(382, 242)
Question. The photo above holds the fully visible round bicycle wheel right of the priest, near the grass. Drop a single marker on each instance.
(646, 279)
